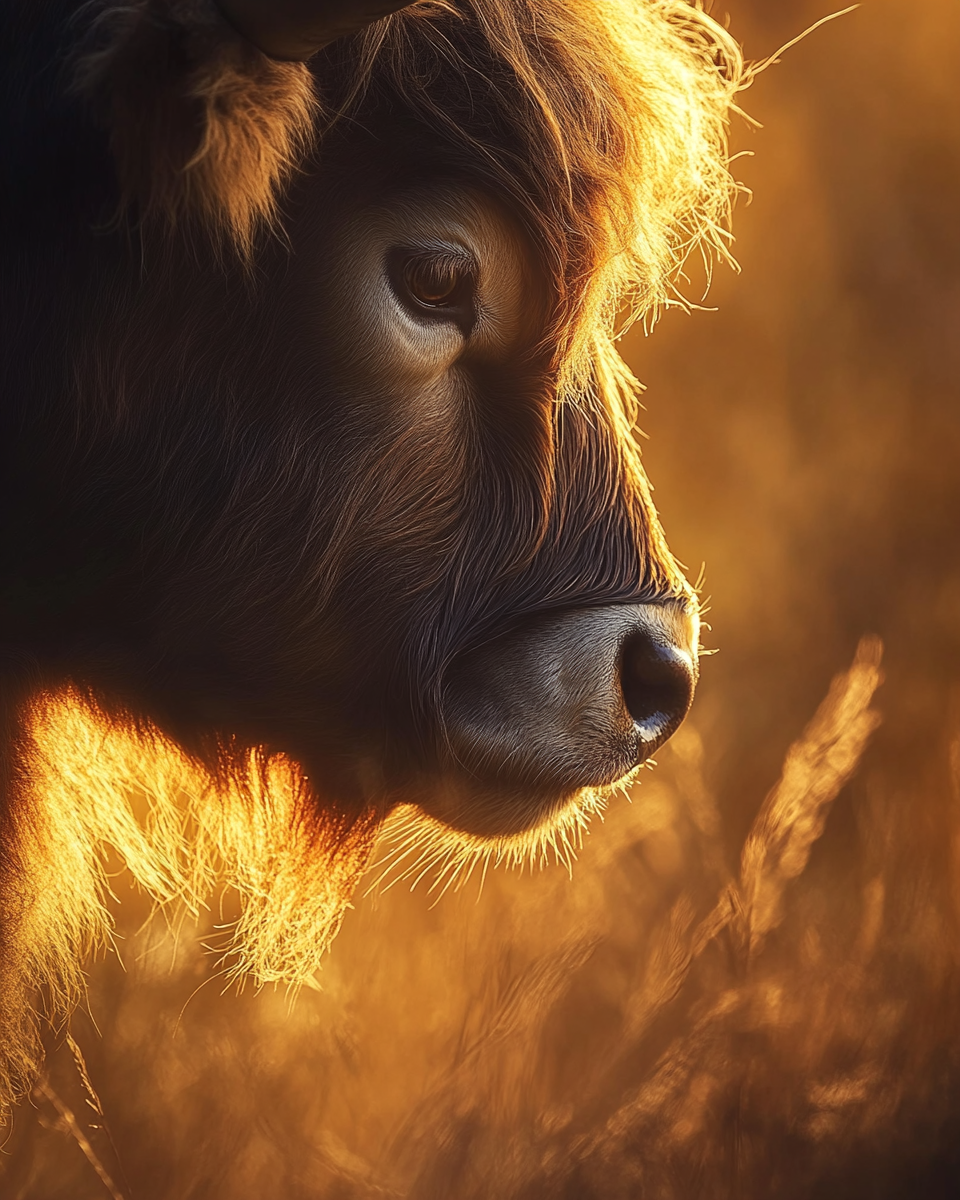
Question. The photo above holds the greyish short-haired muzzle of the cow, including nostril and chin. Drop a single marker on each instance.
(568, 701)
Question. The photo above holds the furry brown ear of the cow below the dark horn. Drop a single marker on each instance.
(205, 128)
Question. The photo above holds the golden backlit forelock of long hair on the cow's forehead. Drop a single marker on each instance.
(603, 122)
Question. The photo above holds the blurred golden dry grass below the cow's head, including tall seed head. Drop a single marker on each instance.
(626, 1035)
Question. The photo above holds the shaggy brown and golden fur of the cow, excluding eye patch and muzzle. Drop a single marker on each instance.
(208, 551)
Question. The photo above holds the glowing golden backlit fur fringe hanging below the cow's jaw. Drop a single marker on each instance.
(98, 789)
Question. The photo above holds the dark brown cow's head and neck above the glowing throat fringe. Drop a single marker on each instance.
(315, 439)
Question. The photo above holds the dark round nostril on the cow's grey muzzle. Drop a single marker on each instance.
(657, 681)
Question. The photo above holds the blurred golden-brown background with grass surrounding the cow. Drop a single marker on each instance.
(675, 1022)
